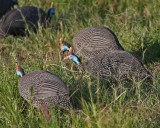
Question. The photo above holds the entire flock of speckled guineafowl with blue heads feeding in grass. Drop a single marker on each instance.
(99, 47)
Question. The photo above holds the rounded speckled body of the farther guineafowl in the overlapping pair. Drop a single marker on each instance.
(91, 41)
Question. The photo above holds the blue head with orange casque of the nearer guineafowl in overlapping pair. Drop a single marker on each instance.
(73, 57)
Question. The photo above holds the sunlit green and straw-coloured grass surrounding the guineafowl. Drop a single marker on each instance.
(136, 24)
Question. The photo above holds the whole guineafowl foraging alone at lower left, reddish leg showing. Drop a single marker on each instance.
(43, 89)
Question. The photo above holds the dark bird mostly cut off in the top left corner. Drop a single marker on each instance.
(6, 5)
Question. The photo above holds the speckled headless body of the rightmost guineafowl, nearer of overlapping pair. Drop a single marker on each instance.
(117, 65)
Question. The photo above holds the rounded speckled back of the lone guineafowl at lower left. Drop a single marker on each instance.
(42, 86)
